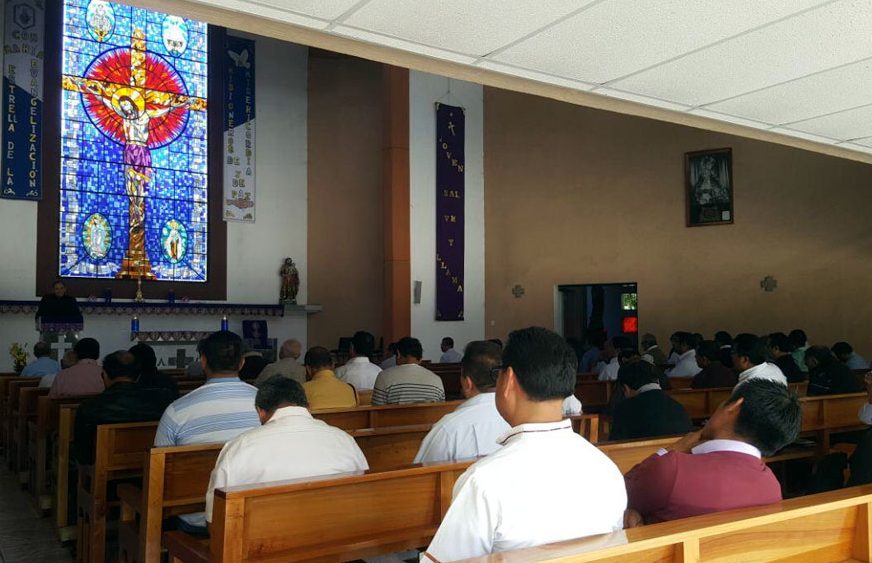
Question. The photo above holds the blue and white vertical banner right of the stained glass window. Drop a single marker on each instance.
(239, 131)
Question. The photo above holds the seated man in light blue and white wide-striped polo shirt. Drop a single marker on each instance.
(217, 411)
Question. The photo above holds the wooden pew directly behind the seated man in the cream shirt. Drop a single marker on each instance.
(322, 519)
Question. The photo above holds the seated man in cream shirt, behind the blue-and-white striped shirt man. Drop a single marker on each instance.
(290, 444)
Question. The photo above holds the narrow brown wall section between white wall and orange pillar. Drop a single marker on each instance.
(345, 242)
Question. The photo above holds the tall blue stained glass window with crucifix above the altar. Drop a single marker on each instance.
(134, 167)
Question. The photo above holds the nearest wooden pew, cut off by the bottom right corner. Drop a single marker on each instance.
(831, 526)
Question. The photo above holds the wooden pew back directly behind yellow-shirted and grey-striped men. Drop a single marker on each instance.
(385, 415)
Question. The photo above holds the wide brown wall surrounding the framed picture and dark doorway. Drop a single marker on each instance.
(575, 195)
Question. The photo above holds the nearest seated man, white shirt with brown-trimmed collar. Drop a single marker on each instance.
(528, 492)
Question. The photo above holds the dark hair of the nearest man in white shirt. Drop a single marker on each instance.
(543, 362)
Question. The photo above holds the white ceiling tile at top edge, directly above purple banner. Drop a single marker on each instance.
(474, 27)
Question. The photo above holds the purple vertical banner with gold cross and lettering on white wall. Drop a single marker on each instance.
(450, 197)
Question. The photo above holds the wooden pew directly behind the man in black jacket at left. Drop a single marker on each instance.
(120, 450)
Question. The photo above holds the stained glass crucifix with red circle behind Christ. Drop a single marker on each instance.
(136, 99)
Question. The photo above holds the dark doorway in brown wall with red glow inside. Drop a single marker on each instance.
(600, 310)
